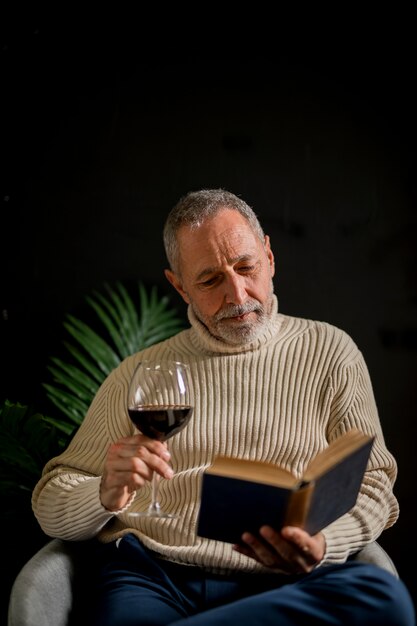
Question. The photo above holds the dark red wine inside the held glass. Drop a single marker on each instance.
(160, 422)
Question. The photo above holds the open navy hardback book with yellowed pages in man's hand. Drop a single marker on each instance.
(239, 495)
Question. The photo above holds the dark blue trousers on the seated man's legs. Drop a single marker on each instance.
(137, 589)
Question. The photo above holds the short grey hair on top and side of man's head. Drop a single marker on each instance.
(196, 207)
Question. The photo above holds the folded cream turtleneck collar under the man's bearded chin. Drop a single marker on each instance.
(204, 341)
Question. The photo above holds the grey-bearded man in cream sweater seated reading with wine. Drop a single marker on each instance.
(267, 386)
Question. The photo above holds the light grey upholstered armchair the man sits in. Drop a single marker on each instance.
(42, 594)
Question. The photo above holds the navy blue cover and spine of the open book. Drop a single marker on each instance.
(230, 506)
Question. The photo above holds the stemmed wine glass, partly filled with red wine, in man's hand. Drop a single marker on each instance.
(159, 404)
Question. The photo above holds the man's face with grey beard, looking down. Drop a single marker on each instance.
(226, 276)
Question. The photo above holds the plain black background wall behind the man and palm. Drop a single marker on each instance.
(103, 130)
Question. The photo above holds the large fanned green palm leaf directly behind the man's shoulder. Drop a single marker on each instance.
(124, 327)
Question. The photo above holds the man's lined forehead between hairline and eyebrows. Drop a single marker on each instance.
(222, 239)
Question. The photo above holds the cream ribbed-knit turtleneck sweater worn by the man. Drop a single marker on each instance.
(280, 399)
